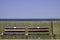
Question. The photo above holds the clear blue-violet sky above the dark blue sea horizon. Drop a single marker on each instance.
(16, 9)
